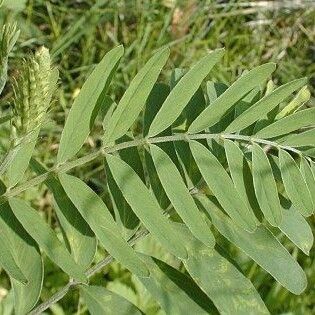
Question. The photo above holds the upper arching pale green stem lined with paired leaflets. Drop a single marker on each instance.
(62, 168)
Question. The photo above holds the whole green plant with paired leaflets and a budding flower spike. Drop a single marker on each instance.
(205, 163)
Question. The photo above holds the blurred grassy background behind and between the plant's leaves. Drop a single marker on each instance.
(79, 32)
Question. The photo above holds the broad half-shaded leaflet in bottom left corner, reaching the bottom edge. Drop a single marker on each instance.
(27, 257)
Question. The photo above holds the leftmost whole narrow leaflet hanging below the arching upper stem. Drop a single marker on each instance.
(42, 233)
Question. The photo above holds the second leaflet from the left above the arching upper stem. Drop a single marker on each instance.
(135, 97)
